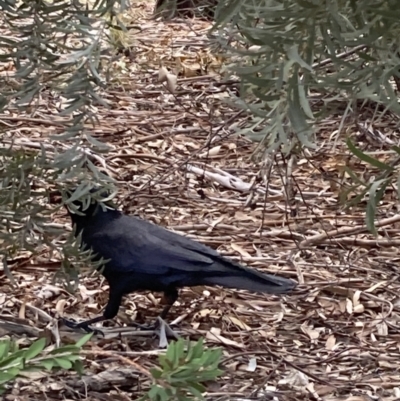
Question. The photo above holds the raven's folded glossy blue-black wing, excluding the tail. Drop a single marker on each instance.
(129, 241)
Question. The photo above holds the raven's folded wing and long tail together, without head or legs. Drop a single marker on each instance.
(138, 247)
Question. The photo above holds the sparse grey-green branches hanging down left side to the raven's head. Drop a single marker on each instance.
(55, 48)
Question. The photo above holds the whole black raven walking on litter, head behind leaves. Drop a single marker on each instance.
(144, 256)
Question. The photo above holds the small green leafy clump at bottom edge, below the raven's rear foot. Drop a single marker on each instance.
(183, 369)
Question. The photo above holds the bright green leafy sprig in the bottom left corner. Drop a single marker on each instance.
(16, 362)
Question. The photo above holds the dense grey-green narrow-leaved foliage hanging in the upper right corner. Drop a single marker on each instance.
(291, 55)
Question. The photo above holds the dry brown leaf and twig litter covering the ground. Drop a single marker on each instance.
(179, 164)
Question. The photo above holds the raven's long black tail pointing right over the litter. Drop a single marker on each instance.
(251, 280)
